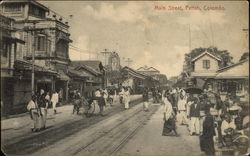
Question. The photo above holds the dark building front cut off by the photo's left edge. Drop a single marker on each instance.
(9, 82)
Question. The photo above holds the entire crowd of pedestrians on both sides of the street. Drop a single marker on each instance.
(205, 114)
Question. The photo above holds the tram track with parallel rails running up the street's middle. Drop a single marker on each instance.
(112, 141)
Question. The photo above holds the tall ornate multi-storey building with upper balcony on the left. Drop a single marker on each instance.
(46, 36)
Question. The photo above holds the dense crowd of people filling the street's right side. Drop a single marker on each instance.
(208, 116)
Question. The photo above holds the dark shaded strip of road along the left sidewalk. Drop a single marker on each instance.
(33, 143)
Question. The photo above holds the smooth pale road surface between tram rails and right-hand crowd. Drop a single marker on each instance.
(149, 140)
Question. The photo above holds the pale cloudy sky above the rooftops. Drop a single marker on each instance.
(151, 36)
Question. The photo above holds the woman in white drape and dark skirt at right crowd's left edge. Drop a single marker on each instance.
(169, 127)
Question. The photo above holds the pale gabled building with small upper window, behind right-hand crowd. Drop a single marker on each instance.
(233, 79)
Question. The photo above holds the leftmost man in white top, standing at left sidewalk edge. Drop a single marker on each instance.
(34, 111)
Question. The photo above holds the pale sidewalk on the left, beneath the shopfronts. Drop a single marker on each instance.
(20, 126)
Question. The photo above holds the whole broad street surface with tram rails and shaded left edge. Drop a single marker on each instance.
(120, 132)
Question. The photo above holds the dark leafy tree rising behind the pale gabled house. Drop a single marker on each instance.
(223, 54)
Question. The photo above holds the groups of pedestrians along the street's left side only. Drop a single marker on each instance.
(41, 101)
